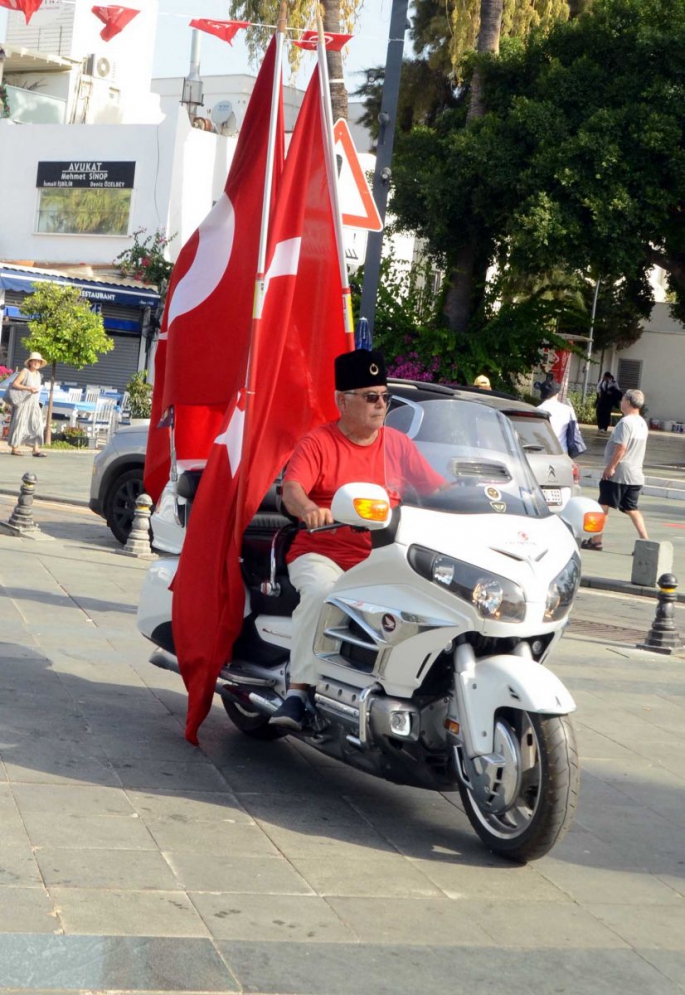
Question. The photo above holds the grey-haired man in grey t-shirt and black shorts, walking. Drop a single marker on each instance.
(624, 455)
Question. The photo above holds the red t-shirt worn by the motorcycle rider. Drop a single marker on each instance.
(326, 459)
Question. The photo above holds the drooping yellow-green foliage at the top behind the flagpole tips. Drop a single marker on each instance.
(338, 15)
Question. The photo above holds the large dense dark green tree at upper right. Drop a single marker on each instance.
(577, 165)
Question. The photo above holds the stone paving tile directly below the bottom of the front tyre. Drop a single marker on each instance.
(503, 882)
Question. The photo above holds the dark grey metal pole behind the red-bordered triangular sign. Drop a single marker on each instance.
(383, 172)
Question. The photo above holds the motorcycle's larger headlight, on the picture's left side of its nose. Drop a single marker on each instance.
(494, 597)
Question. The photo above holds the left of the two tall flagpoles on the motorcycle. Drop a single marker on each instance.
(259, 292)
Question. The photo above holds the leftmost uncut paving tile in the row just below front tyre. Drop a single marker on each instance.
(133, 870)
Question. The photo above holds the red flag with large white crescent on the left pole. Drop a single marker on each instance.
(202, 350)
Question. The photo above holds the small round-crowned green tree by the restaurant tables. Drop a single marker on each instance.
(63, 329)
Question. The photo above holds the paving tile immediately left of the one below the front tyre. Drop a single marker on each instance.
(380, 874)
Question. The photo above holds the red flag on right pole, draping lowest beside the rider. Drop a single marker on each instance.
(300, 331)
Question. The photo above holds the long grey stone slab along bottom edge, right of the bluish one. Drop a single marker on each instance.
(283, 968)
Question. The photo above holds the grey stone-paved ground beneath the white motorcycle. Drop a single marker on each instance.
(133, 862)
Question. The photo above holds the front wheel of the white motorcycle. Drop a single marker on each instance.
(547, 789)
